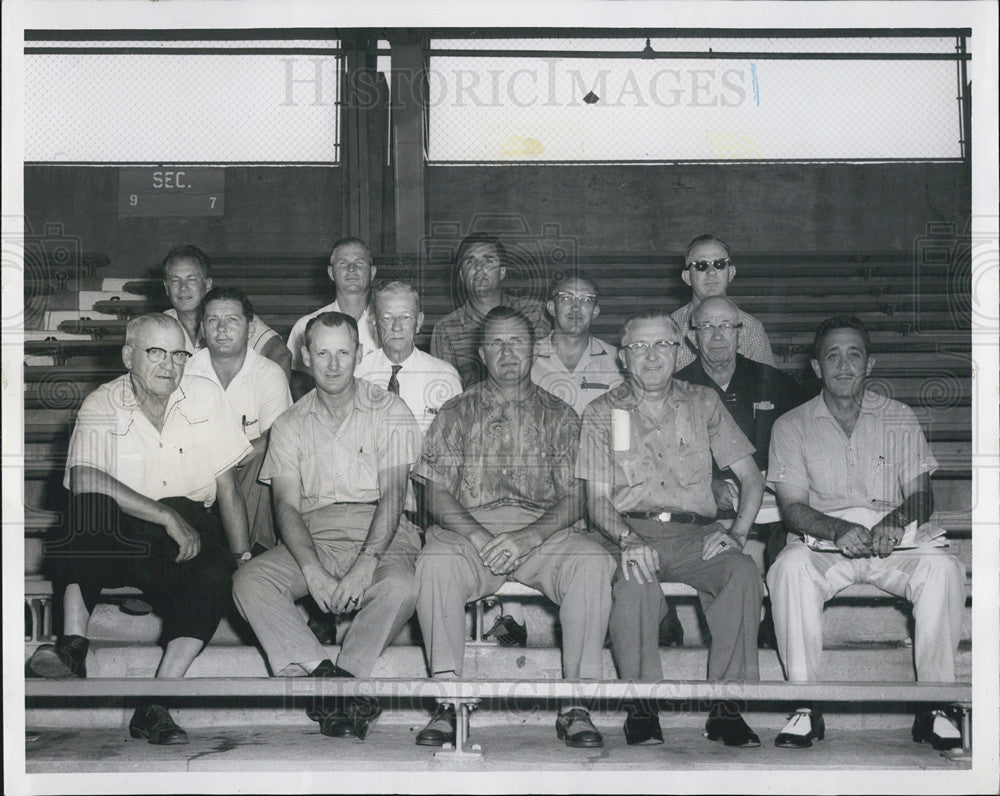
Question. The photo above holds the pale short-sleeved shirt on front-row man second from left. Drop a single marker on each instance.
(340, 465)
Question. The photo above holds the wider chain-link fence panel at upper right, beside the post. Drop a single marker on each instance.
(661, 100)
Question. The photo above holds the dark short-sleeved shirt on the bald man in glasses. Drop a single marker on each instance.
(756, 396)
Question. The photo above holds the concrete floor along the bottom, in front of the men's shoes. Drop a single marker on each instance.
(390, 747)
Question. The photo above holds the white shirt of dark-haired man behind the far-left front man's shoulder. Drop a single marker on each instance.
(257, 394)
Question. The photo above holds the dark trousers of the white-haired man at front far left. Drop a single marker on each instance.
(106, 548)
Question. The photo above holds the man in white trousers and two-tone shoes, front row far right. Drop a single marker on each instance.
(851, 469)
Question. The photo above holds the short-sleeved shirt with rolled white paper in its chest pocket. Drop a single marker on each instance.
(663, 462)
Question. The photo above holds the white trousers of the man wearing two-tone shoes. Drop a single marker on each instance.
(801, 580)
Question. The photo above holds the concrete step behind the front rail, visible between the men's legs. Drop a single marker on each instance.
(859, 662)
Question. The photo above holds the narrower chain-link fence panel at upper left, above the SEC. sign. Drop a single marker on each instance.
(230, 102)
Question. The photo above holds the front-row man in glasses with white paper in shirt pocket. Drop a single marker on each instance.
(646, 451)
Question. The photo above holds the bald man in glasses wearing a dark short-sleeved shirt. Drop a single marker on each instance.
(756, 395)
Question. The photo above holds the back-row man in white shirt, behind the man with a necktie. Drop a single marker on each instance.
(352, 273)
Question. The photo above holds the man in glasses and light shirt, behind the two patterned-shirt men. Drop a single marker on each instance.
(570, 362)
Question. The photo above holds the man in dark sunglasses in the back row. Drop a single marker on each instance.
(708, 269)
